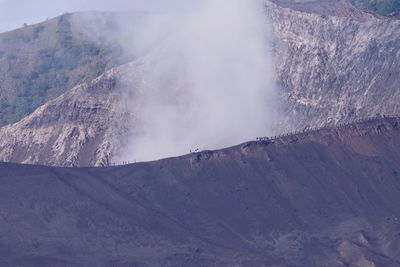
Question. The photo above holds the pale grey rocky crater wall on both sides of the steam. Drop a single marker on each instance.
(333, 65)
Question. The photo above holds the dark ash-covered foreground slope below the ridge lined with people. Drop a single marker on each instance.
(328, 197)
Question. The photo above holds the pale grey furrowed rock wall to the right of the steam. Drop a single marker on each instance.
(335, 66)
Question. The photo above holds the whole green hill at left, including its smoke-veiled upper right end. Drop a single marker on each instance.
(41, 62)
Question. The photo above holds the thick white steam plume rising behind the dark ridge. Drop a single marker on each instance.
(209, 84)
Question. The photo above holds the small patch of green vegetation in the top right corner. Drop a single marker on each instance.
(381, 7)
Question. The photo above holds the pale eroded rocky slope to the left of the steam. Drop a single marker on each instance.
(83, 127)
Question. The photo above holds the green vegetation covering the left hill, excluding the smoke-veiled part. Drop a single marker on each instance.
(41, 62)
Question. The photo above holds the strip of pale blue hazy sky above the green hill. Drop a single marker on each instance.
(14, 13)
